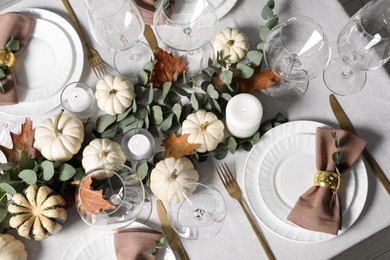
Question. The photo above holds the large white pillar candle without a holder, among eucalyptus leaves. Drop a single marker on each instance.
(243, 115)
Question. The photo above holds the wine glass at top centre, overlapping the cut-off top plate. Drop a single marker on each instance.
(187, 26)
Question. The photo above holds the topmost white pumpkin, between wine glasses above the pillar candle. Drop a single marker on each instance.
(231, 42)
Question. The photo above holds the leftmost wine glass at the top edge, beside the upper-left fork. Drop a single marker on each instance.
(118, 25)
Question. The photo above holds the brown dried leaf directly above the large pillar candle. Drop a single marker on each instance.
(259, 80)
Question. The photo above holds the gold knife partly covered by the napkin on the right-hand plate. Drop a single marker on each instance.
(346, 124)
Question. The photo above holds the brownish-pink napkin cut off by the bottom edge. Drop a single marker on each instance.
(135, 243)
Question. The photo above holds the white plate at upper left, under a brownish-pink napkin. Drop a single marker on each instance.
(53, 57)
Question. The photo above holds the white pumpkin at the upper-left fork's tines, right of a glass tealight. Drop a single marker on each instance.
(114, 94)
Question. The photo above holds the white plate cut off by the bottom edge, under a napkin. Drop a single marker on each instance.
(92, 244)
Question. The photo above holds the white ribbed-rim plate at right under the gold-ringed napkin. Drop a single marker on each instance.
(281, 167)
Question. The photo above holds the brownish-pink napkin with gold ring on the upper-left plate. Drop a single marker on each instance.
(19, 27)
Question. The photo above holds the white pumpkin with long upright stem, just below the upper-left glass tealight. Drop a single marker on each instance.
(60, 137)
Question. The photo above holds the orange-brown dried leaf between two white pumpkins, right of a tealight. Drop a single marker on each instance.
(177, 147)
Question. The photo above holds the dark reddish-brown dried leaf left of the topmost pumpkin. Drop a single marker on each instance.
(165, 66)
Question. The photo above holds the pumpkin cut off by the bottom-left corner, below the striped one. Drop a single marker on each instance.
(11, 248)
